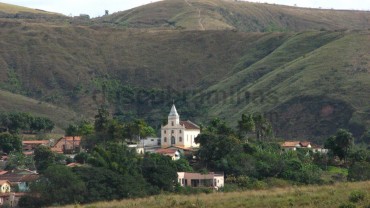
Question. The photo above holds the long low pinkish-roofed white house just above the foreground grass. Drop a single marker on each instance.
(214, 180)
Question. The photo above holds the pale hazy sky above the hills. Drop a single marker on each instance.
(96, 7)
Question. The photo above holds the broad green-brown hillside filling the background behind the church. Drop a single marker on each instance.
(308, 83)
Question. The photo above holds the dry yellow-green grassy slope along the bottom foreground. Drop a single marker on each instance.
(309, 197)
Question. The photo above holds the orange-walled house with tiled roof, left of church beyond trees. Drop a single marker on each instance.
(67, 145)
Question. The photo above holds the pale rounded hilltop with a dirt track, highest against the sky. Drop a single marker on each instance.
(239, 15)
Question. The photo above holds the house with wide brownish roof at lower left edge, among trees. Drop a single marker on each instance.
(20, 179)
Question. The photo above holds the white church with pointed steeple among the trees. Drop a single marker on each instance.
(179, 133)
